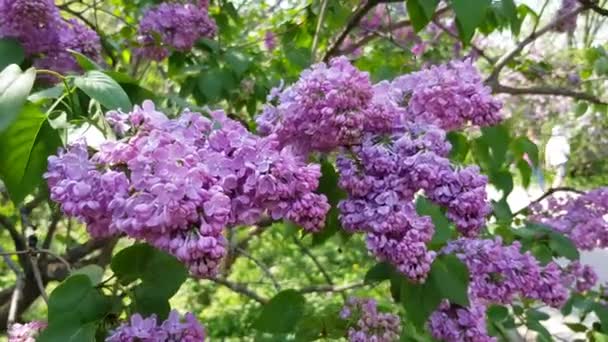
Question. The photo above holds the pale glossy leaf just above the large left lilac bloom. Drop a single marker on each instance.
(104, 89)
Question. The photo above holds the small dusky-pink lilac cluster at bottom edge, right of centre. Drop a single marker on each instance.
(367, 324)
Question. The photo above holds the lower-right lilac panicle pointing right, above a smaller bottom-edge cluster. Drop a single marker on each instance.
(501, 273)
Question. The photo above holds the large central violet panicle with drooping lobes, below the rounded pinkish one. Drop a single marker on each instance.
(382, 177)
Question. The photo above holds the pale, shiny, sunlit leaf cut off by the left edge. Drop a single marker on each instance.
(15, 86)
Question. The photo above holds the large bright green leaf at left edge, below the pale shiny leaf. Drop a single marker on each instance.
(25, 147)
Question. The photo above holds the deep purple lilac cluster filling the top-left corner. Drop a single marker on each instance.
(45, 35)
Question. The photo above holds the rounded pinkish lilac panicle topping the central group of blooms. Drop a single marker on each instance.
(323, 110)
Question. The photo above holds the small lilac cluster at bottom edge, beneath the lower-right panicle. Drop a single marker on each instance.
(453, 323)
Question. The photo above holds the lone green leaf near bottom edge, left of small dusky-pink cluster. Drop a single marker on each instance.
(281, 313)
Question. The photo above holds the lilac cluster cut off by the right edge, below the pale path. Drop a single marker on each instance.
(581, 218)
